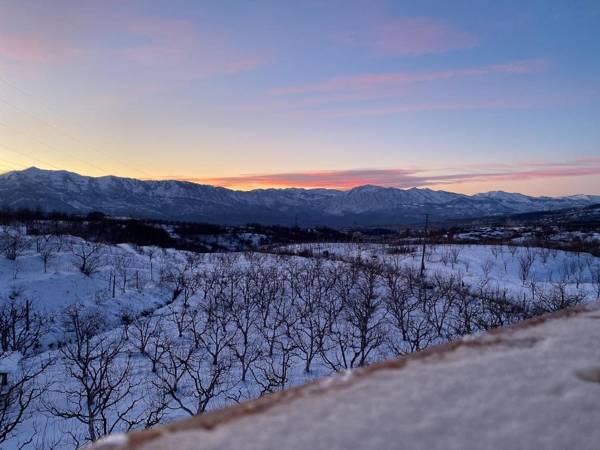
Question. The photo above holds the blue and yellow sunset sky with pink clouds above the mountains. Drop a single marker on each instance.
(465, 96)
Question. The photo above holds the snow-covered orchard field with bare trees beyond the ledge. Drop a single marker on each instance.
(151, 335)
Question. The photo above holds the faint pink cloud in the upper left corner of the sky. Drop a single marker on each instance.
(40, 36)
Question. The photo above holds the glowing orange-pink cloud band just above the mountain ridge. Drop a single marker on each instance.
(406, 178)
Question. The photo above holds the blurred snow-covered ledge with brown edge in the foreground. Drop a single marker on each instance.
(525, 388)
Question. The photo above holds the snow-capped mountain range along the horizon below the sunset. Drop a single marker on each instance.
(179, 200)
